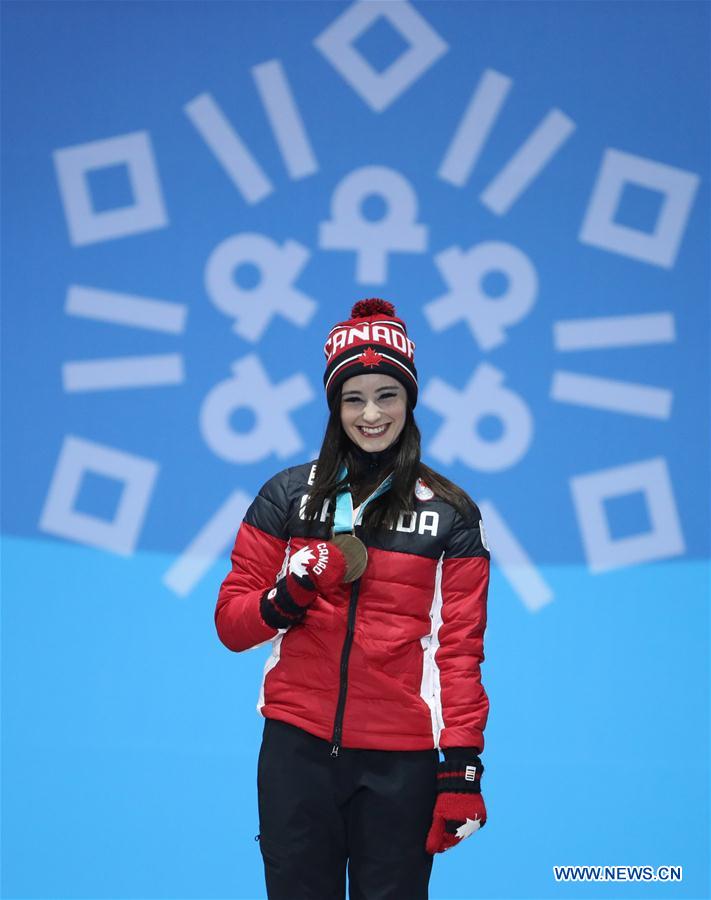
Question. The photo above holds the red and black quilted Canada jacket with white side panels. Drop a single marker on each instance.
(390, 661)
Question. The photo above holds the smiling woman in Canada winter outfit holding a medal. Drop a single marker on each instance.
(368, 572)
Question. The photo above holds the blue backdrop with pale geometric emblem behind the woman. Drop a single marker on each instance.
(193, 194)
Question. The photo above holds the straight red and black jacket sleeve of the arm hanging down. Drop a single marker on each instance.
(464, 587)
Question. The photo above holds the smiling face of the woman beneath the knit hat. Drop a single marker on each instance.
(373, 410)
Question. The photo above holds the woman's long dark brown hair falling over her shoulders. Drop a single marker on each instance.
(337, 451)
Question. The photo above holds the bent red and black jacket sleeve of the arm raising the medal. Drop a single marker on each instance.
(258, 557)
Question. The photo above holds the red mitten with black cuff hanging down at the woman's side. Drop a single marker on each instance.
(459, 809)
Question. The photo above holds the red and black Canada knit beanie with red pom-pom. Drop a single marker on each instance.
(373, 340)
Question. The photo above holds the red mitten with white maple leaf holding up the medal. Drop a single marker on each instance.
(316, 568)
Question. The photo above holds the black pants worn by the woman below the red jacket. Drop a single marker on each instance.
(369, 809)
